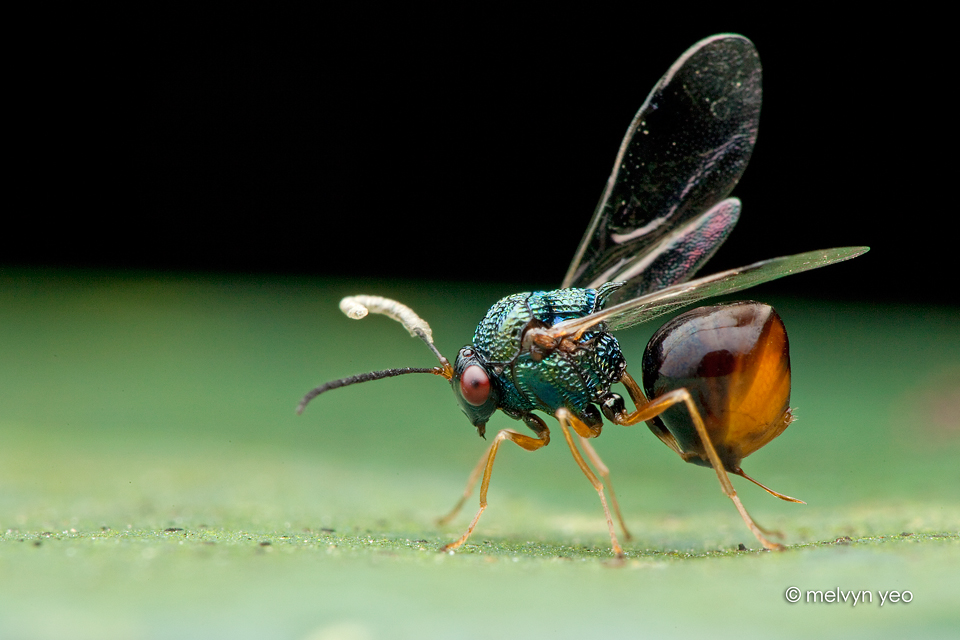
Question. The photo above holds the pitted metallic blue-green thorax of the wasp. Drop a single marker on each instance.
(573, 380)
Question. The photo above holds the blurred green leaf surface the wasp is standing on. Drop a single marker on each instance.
(156, 483)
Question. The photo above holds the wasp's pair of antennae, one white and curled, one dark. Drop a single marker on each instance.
(358, 307)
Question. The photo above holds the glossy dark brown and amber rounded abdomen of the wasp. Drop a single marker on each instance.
(734, 360)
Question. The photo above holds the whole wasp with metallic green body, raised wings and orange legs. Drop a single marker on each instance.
(716, 380)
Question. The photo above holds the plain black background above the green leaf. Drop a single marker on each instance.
(466, 146)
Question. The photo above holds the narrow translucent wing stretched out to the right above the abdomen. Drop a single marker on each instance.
(631, 312)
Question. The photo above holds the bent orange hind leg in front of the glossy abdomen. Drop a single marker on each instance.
(647, 410)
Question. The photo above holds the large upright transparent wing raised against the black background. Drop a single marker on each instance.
(683, 153)
